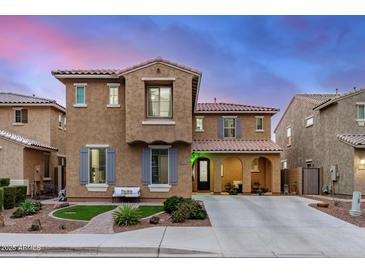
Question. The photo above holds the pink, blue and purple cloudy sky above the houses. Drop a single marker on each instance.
(260, 60)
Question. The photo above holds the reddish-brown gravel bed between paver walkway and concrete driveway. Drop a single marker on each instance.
(164, 221)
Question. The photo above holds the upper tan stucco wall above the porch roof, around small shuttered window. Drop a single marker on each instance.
(248, 126)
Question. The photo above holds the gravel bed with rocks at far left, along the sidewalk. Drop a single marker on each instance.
(49, 224)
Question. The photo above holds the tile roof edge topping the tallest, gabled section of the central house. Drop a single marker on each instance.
(116, 72)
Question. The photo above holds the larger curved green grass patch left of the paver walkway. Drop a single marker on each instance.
(82, 212)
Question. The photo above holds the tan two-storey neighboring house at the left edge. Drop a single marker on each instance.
(32, 141)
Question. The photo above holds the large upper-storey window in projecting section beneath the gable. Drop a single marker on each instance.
(159, 103)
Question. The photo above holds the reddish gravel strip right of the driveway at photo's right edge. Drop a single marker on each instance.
(341, 211)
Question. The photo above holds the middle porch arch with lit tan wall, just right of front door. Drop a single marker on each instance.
(231, 172)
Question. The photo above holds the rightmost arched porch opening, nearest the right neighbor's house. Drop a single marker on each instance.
(261, 174)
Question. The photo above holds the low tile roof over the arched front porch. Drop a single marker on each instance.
(235, 145)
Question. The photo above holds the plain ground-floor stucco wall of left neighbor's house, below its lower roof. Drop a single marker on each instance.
(11, 160)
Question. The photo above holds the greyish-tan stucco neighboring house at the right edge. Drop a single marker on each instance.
(326, 131)
